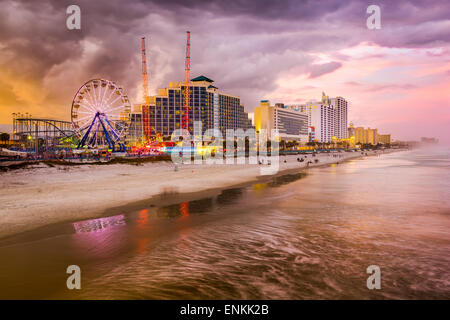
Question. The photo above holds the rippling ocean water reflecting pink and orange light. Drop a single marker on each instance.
(309, 235)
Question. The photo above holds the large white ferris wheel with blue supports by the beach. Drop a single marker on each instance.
(100, 114)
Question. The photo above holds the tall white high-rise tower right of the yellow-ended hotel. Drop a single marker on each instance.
(327, 119)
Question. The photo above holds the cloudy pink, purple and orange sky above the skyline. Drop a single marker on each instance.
(397, 78)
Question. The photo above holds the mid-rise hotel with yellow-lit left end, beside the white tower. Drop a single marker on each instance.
(291, 122)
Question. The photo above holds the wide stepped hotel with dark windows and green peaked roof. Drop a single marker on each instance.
(215, 109)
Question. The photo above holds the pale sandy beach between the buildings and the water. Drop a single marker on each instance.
(48, 205)
